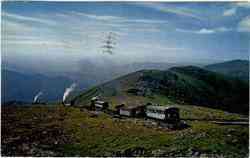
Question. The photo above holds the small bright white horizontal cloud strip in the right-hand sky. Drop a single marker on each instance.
(205, 30)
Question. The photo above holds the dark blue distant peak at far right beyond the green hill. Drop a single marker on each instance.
(235, 68)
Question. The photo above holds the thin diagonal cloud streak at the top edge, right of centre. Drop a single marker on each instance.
(174, 10)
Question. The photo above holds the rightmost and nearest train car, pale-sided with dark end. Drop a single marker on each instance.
(164, 113)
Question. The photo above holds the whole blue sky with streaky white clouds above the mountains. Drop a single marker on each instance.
(58, 34)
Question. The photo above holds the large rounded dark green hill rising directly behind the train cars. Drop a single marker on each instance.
(182, 85)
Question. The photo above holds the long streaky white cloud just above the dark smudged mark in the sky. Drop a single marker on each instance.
(106, 23)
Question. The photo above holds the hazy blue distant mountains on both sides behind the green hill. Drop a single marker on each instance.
(24, 86)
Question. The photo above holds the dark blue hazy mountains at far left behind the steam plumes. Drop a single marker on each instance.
(23, 87)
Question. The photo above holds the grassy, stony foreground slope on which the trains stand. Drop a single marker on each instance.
(78, 133)
